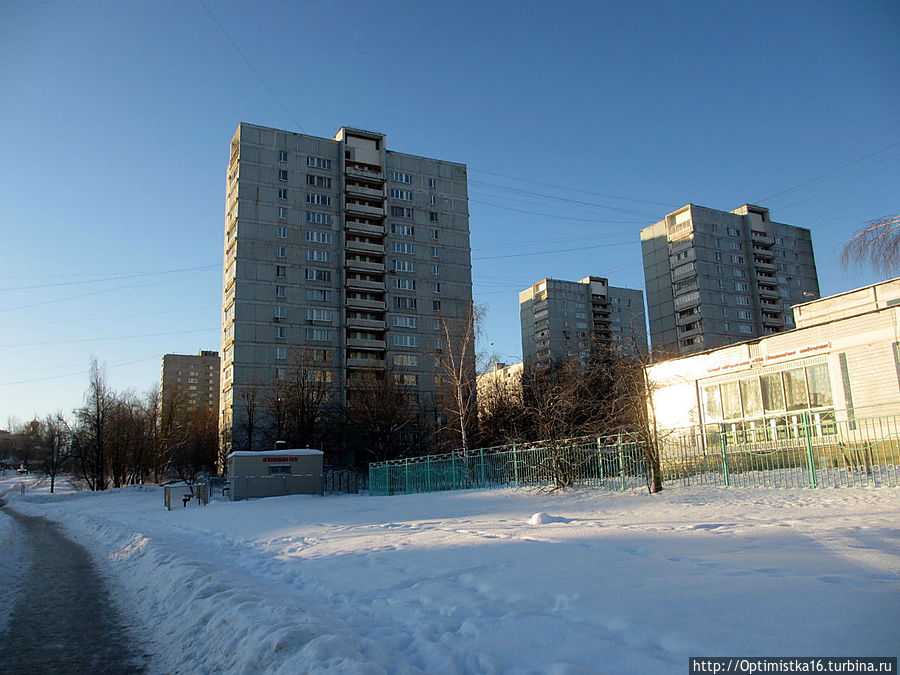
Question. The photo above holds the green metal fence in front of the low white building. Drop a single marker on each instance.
(801, 450)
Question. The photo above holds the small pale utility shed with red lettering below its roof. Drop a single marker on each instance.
(272, 473)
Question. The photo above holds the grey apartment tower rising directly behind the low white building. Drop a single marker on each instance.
(714, 277)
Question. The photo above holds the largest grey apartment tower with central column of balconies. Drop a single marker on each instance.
(344, 251)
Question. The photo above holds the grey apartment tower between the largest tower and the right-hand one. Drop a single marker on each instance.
(562, 320)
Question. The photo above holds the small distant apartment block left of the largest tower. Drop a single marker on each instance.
(190, 382)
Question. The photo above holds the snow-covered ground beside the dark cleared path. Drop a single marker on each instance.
(506, 581)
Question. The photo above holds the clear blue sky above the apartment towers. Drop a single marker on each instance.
(116, 119)
